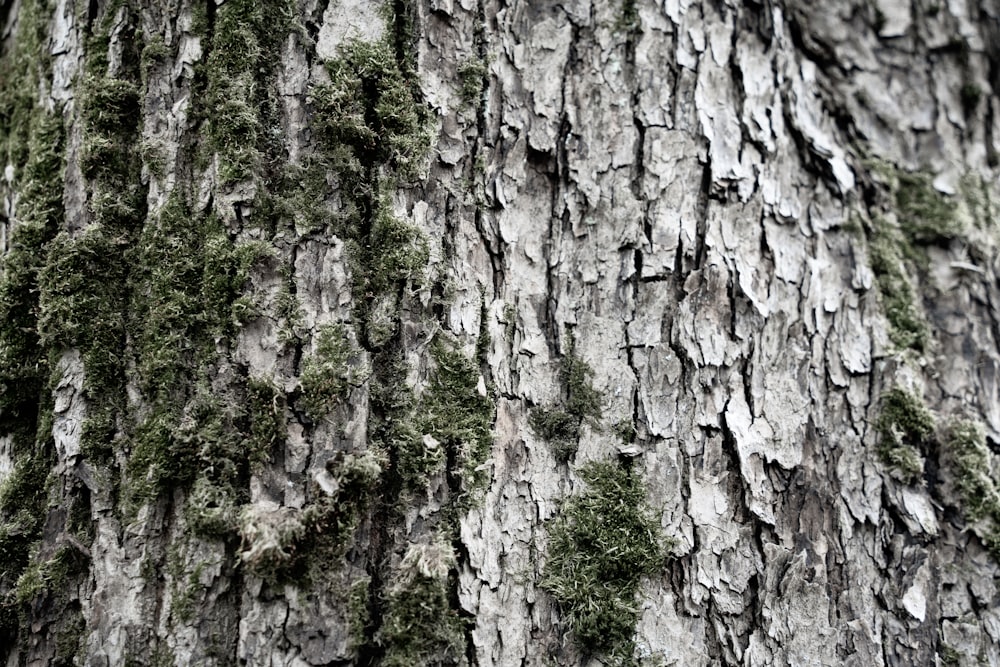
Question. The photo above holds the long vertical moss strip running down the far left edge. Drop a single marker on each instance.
(35, 150)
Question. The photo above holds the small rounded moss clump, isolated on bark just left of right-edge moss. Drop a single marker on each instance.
(904, 426)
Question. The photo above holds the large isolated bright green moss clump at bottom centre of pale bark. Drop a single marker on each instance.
(603, 542)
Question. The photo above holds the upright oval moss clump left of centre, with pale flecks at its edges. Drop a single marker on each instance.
(457, 416)
